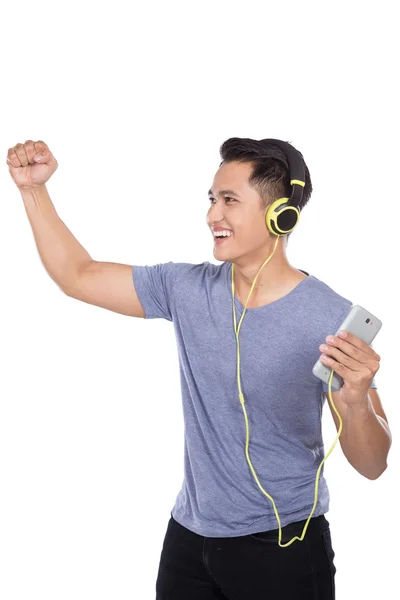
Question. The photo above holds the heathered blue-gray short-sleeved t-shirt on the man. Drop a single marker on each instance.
(279, 344)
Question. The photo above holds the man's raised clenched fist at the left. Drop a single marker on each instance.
(26, 169)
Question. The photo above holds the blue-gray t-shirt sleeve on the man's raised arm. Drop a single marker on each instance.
(154, 285)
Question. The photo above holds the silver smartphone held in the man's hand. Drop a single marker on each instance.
(361, 323)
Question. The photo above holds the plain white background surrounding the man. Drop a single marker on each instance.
(134, 101)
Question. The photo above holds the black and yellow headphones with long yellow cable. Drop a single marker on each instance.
(281, 218)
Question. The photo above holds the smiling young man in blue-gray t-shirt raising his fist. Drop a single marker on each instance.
(222, 537)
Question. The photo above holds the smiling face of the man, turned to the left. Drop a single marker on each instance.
(240, 211)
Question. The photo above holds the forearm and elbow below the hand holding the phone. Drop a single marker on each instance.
(365, 439)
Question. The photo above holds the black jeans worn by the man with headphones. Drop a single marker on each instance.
(250, 567)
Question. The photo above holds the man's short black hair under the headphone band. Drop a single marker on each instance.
(270, 173)
